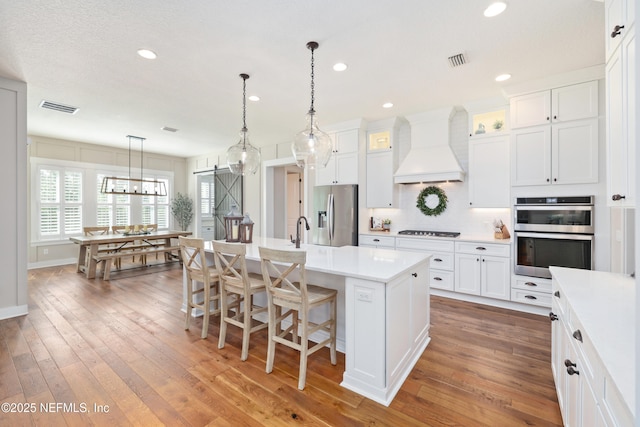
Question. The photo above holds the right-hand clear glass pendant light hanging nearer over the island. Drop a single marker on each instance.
(312, 147)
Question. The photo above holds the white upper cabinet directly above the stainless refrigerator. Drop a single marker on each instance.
(343, 165)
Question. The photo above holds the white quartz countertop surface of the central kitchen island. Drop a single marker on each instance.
(381, 265)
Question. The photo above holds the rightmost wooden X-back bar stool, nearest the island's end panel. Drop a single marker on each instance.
(283, 272)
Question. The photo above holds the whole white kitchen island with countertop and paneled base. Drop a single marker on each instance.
(383, 309)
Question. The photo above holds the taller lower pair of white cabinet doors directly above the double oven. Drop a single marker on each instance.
(565, 153)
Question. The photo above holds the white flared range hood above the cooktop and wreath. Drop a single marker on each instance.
(430, 158)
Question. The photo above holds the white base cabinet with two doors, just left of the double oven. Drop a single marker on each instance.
(483, 269)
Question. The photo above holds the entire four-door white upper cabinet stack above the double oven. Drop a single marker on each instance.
(554, 137)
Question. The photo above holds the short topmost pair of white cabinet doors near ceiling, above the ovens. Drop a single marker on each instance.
(563, 104)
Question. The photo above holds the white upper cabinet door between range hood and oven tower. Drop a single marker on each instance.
(489, 172)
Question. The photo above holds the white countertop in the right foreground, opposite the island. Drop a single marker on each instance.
(605, 305)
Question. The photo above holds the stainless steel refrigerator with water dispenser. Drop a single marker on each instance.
(335, 210)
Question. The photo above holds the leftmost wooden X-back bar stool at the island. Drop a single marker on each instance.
(197, 270)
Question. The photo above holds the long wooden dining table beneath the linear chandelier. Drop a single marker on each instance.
(125, 244)
